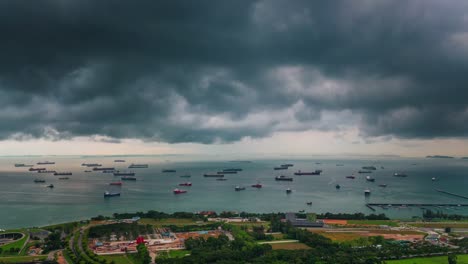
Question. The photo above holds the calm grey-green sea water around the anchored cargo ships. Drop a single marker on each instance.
(25, 203)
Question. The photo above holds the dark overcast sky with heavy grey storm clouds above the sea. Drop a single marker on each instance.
(153, 77)
